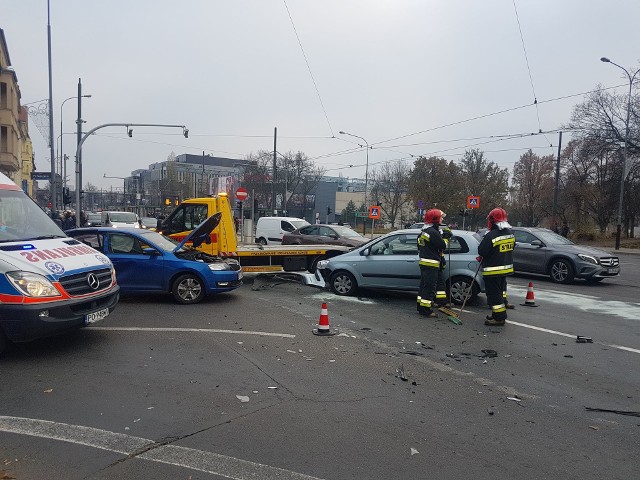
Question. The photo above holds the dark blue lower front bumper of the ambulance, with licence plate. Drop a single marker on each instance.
(23, 323)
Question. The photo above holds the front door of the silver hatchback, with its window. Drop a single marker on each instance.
(392, 263)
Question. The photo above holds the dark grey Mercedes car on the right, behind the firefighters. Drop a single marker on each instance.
(541, 251)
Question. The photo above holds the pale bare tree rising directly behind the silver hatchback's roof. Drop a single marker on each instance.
(389, 189)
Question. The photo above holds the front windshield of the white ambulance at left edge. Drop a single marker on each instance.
(21, 219)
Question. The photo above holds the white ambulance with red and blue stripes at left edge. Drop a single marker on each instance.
(49, 283)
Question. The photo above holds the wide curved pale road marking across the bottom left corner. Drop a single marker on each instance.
(208, 462)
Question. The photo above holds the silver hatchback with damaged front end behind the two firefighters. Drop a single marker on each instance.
(390, 262)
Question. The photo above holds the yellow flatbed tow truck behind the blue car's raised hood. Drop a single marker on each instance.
(224, 241)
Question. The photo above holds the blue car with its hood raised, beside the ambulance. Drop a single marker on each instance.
(147, 262)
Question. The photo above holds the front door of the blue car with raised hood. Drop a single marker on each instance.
(136, 271)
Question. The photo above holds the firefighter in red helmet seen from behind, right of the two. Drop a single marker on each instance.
(496, 250)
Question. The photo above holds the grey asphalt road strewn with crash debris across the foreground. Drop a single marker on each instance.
(238, 387)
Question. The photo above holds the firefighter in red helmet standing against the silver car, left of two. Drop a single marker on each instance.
(431, 247)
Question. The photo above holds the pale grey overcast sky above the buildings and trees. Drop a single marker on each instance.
(397, 72)
